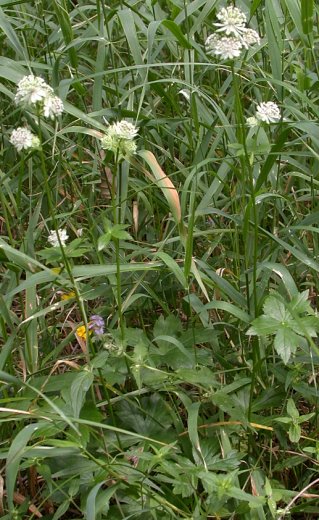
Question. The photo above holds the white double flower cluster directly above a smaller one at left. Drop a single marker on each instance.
(34, 91)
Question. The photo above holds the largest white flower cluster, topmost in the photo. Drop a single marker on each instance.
(232, 34)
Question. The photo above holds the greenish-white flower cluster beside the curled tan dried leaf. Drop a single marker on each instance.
(119, 139)
